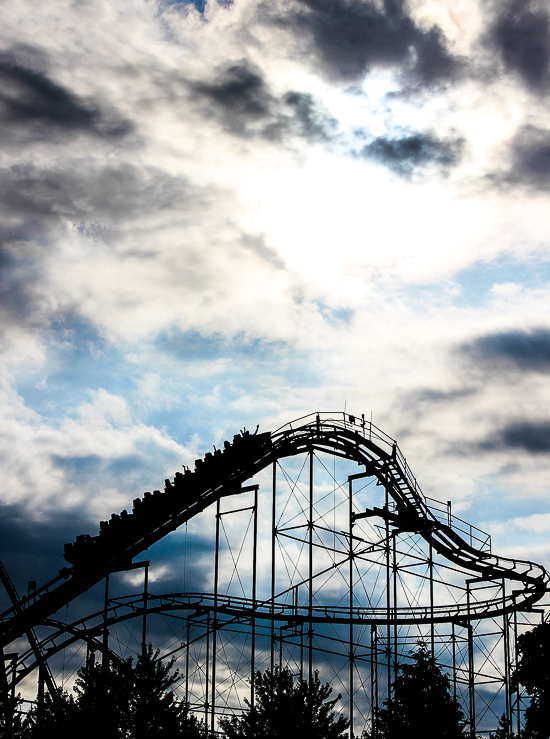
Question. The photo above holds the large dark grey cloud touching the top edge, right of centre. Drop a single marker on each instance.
(350, 37)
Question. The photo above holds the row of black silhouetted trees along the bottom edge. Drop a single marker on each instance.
(124, 700)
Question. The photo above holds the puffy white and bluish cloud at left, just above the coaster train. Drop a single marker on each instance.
(94, 460)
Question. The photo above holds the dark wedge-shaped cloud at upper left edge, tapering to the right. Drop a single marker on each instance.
(35, 107)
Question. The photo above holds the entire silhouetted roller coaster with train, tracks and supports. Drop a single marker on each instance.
(321, 553)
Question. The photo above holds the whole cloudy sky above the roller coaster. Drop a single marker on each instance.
(221, 214)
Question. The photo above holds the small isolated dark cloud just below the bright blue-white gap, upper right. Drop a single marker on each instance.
(407, 154)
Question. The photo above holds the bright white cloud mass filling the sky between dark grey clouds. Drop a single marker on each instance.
(346, 275)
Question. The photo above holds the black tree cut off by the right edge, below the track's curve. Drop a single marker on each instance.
(533, 672)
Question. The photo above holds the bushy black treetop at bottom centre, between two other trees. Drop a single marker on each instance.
(288, 709)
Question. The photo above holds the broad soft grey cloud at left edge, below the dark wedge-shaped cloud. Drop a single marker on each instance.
(82, 203)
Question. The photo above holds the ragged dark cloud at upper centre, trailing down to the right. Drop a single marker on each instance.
(241, 99)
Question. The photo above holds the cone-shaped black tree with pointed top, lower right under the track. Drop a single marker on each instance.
(421, 703)
